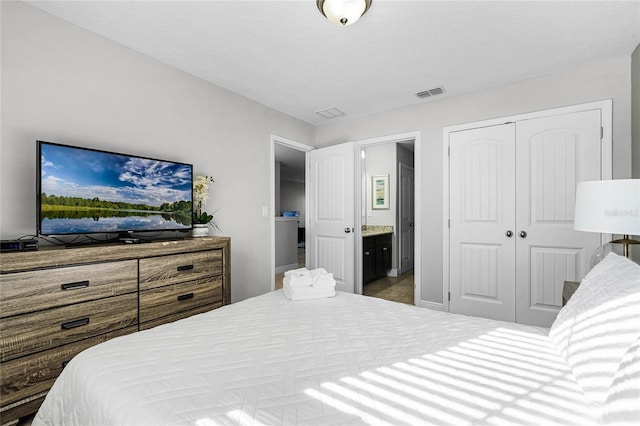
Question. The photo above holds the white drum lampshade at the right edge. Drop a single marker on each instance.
(608, 206)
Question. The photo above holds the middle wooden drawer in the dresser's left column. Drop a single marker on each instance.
(24, 334)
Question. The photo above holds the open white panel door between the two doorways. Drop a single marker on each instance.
(330, 188)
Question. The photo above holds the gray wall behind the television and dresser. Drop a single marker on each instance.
(63, 84)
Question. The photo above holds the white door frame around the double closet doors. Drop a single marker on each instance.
(606, 166)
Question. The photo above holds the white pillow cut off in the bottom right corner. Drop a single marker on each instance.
(622, 406)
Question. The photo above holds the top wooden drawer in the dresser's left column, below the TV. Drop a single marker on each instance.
(24, 292)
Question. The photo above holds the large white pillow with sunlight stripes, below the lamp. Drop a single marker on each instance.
(599, 323)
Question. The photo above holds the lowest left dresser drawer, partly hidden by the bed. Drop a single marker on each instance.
(30, 375)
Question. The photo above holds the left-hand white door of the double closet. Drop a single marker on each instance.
(482, 188)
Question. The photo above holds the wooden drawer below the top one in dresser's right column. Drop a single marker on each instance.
(167, 300)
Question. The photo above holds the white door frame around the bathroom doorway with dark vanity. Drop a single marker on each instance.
(415, 136)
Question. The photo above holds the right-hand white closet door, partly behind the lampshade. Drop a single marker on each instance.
(552, 155)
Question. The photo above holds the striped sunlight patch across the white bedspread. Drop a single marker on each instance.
(492, 372)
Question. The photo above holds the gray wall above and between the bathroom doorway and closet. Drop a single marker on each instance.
(606, 80)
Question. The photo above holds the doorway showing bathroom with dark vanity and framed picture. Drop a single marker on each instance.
(394, 160)
